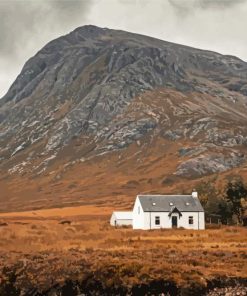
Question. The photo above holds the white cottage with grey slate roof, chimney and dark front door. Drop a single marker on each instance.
(168, 211)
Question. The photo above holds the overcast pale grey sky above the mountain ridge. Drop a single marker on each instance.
(27, 25)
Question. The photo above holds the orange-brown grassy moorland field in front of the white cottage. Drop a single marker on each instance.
(64, 248)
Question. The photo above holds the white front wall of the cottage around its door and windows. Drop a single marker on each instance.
(166, 221)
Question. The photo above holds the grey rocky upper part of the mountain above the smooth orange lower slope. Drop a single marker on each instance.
(103, 90)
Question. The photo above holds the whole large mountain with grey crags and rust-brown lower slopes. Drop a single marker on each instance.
(99, 115)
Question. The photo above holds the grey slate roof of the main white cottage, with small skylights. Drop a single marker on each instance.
(165, 203)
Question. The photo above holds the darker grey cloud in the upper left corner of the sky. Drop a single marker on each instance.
(22, 22)
